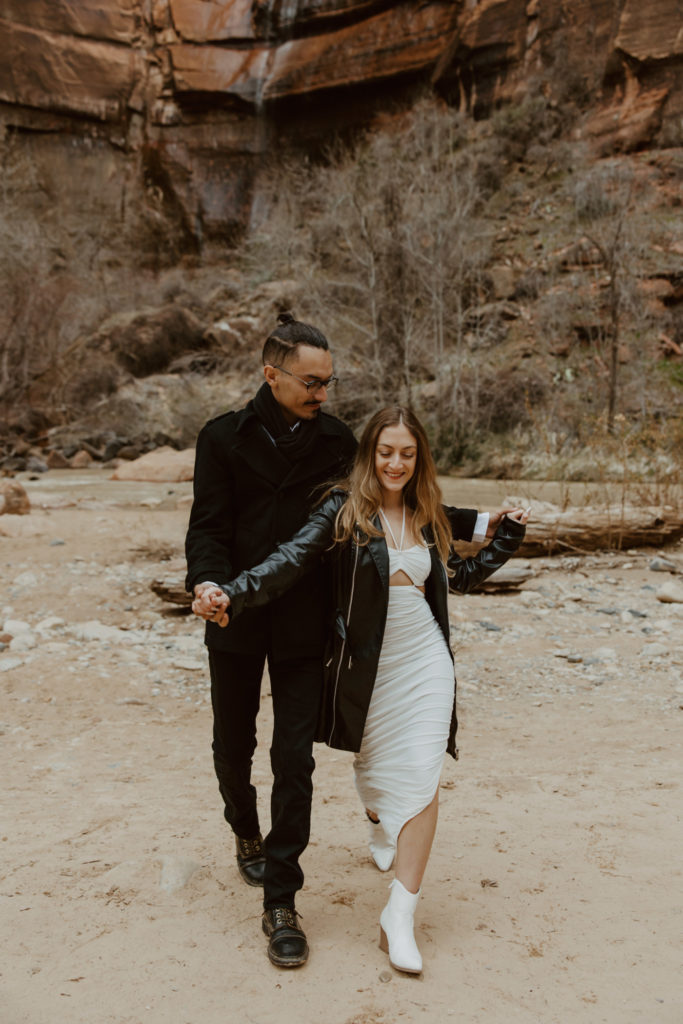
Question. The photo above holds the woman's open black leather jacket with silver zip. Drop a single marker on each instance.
(360, 579)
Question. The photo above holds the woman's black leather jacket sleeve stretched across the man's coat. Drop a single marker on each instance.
(288, 564)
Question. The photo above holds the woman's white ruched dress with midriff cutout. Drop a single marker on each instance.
(400, 763)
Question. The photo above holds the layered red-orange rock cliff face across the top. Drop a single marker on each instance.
(191, 94)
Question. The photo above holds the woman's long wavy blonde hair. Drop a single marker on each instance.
(422, 494)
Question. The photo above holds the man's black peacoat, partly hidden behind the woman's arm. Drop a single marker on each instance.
(248, 498)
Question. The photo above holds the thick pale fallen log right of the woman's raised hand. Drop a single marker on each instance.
(552, 531)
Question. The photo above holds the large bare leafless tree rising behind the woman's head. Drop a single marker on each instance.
(390, 241)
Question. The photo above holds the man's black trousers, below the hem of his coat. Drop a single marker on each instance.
(296, 688)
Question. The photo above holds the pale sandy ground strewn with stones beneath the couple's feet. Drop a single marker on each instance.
(554, 890)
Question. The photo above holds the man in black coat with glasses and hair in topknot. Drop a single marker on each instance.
(258, 476)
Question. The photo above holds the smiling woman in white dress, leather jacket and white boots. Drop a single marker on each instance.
(390, 692)
